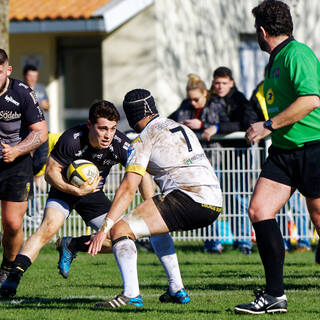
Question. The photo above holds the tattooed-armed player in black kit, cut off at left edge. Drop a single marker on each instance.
(22, 129)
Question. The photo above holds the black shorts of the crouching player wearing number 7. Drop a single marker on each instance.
(180, 212)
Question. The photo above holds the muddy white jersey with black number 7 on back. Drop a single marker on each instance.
(171, 152)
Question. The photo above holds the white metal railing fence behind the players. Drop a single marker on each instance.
(238, 170)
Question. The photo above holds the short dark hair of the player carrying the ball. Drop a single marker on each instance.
(103, 109)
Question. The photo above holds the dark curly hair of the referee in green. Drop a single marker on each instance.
(274, 16)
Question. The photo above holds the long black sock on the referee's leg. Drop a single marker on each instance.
(271, 249)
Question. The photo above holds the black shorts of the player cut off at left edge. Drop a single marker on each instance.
(16, 179)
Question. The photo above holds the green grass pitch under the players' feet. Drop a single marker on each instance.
(215, 283)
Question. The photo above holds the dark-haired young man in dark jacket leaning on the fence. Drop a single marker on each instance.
(230, 107)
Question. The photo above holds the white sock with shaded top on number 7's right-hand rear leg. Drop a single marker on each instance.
(164, 248)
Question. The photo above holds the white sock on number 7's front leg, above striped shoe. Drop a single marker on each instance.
(125, 252)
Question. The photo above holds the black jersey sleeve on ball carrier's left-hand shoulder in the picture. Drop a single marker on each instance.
(67, 147)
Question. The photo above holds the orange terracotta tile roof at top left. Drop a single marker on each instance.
(54, 9)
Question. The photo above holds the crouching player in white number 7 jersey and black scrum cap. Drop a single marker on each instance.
(191, 196)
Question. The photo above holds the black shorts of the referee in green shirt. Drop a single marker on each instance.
(298, 168)
